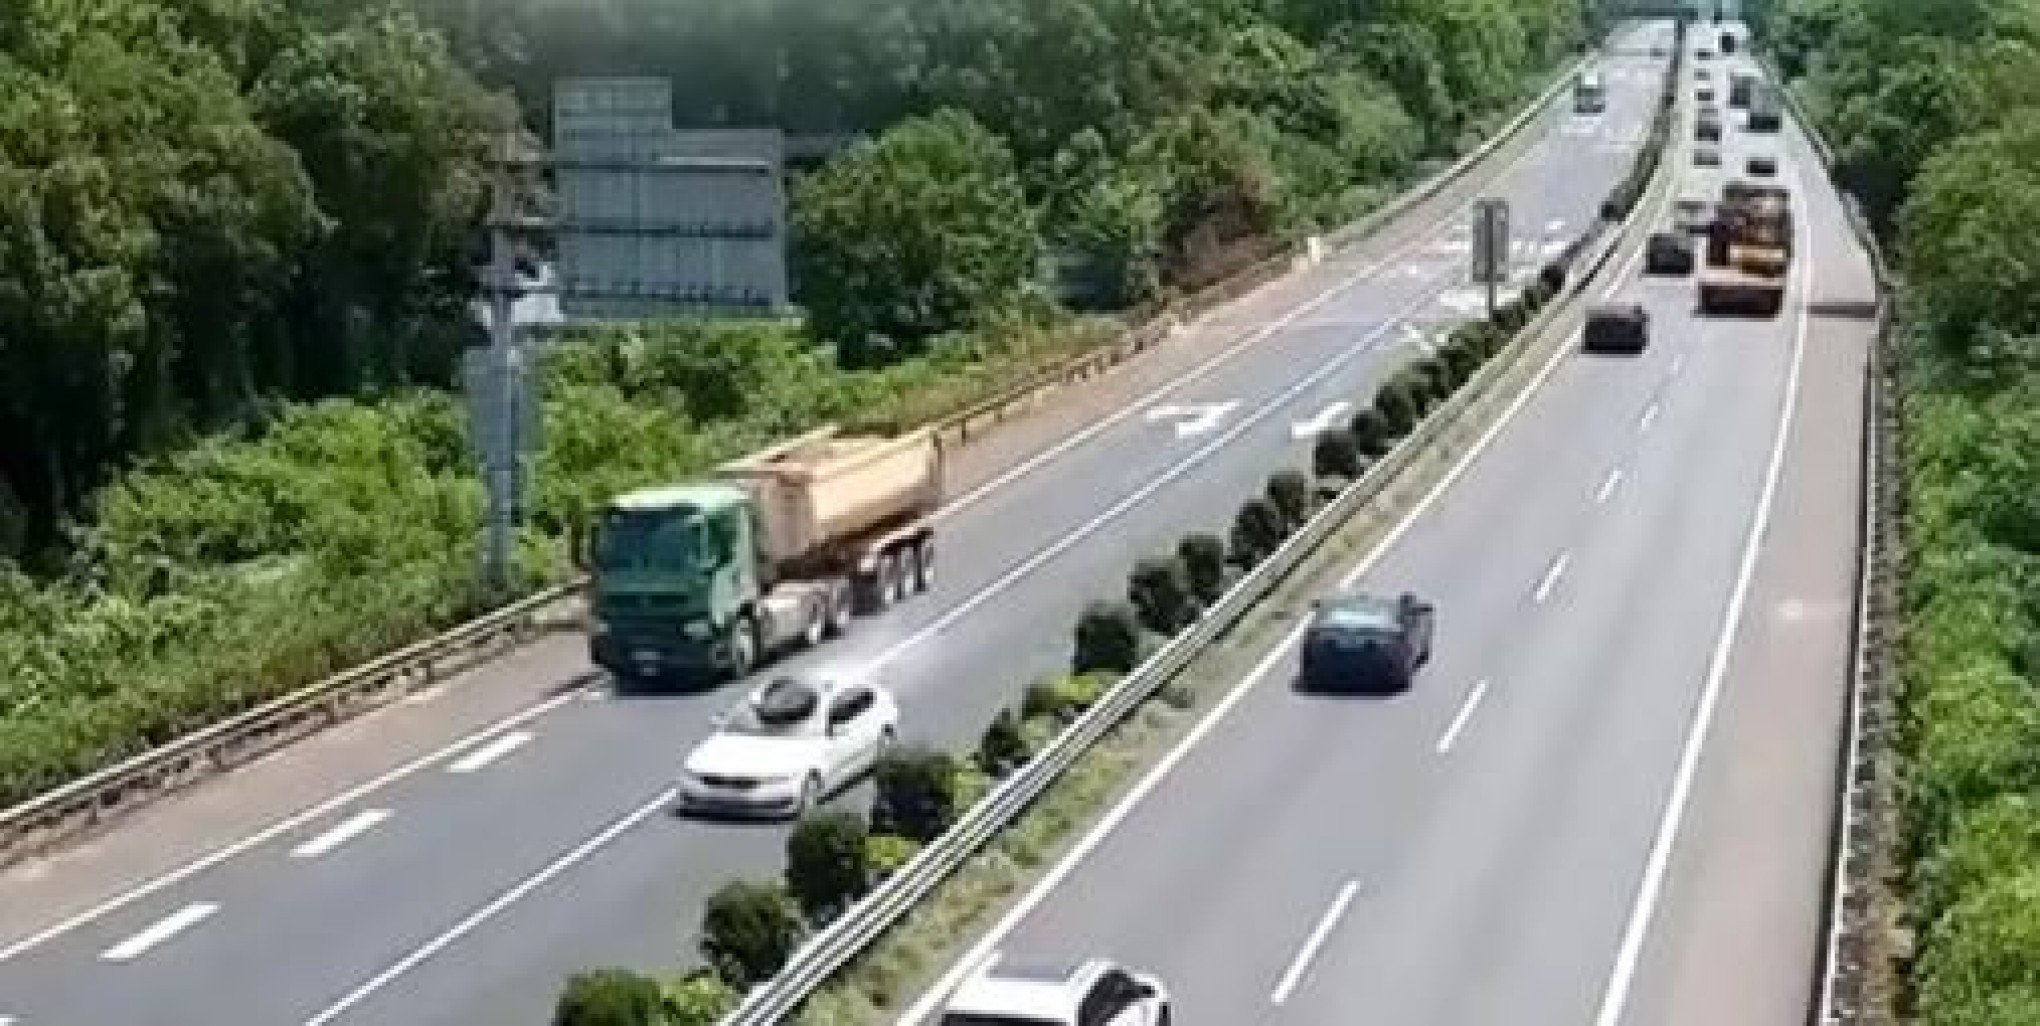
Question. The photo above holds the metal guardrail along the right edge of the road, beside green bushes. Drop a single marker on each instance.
(1841, 982)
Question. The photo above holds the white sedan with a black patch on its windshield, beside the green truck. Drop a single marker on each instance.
(788, 746)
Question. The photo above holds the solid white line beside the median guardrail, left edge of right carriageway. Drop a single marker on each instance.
(1117, 815)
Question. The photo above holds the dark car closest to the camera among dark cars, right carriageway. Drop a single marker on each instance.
(1368, 644)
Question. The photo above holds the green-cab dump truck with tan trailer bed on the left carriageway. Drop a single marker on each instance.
(772, 552)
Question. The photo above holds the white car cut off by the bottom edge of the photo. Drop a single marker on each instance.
(1094, 992)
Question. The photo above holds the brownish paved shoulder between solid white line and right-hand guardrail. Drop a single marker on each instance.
(1745, 899)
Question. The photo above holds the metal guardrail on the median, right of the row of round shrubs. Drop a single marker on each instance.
(831, 950)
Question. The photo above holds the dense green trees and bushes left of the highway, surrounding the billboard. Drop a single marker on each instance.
(238, 246)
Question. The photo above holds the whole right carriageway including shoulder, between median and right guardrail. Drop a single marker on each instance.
(1609, 799)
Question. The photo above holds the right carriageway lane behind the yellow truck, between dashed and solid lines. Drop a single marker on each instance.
(1511, 903)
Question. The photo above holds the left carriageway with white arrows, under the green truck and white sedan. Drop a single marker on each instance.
(452, 860)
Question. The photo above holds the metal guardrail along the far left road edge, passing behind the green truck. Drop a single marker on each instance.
(91, 803)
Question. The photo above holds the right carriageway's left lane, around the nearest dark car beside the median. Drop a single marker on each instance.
(1284, 766)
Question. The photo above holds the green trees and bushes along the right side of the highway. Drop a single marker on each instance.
(1935, 111)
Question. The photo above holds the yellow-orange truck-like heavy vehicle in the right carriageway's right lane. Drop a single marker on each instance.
(1749, 252)
